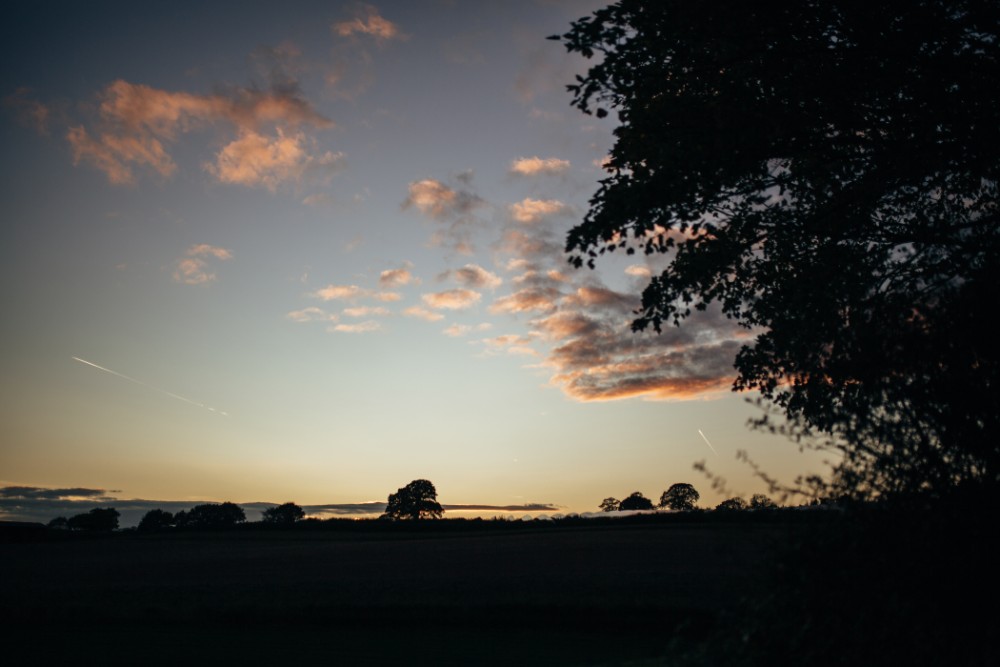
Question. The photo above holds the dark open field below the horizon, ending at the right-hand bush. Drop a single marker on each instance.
(551, 595)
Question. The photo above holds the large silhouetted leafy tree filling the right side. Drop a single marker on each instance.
(825, 174)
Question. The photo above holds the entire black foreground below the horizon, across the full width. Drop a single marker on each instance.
(865, 588)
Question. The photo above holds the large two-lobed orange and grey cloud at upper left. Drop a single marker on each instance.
(137, 123)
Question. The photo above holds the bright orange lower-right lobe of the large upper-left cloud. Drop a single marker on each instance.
(256, 160)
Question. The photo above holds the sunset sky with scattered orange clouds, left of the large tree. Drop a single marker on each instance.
(314, 251)
